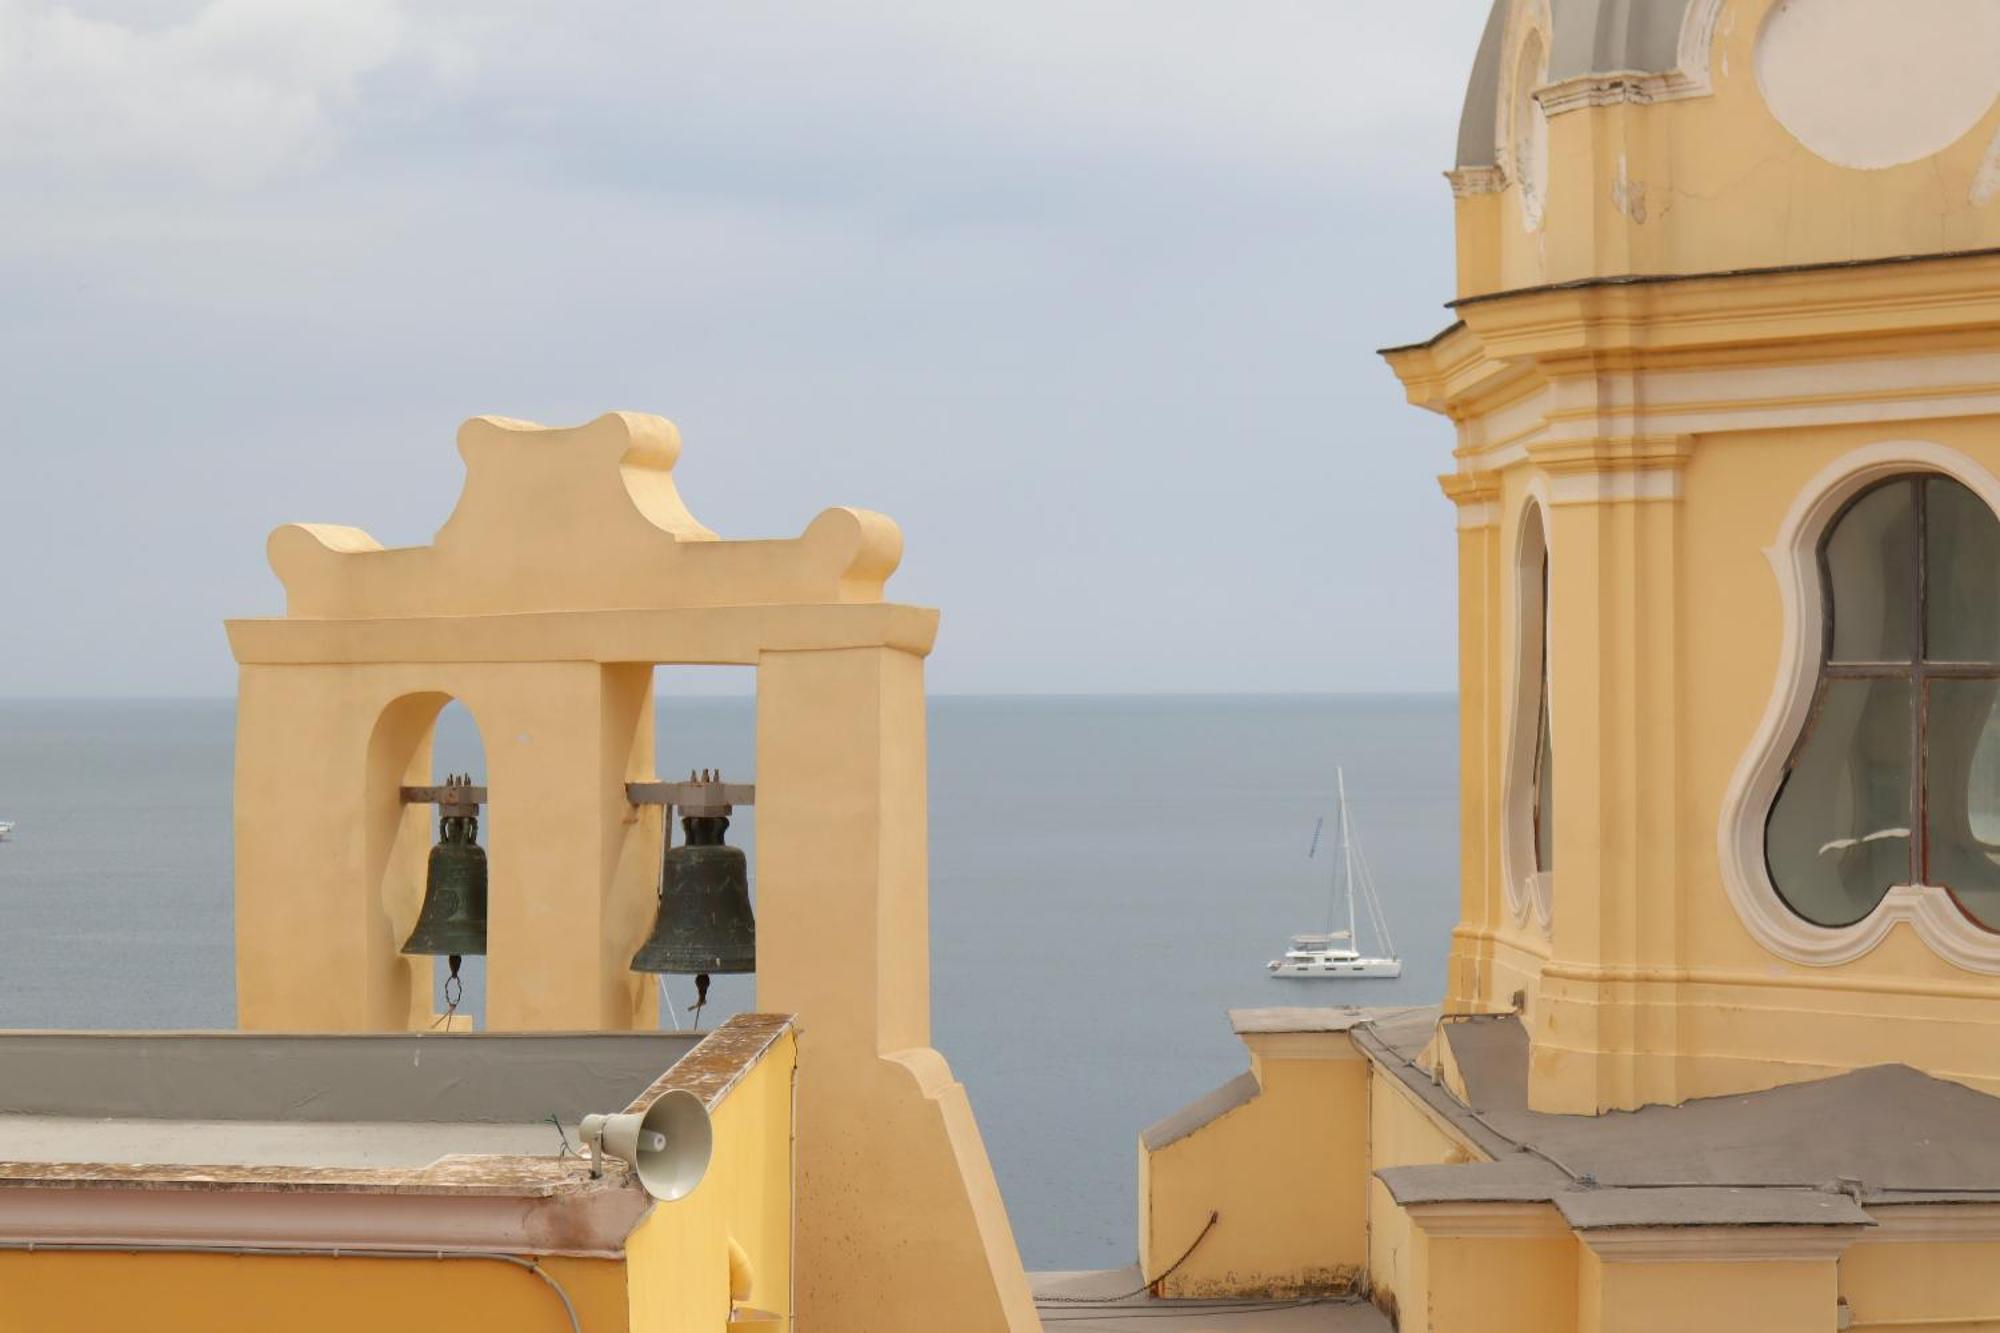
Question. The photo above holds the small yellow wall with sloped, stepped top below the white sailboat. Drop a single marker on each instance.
(1285, 1176)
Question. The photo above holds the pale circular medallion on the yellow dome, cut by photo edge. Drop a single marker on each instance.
(1879, 83)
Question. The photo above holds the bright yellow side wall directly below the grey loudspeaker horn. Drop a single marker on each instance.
(677, 1260)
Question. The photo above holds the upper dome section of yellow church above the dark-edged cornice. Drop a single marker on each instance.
(1615, 139)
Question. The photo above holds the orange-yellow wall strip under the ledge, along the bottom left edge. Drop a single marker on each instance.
(235, 1294)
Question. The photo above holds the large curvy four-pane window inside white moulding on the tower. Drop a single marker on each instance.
(1897, 776)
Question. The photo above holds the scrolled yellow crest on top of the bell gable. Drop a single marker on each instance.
(577, 519)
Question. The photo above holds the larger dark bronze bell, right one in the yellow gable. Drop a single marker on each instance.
(705, 922)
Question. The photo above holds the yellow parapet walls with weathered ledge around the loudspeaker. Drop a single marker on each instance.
(503, 1244)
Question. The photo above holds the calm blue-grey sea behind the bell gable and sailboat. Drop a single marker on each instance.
(1109, 876)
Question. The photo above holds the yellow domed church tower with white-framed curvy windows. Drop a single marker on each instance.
(1723, 269)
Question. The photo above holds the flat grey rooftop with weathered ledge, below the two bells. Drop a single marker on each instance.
(379, 1142)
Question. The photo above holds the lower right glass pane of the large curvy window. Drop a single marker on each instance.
(1963, 796)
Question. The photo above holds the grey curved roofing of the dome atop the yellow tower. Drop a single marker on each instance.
(1587, 37)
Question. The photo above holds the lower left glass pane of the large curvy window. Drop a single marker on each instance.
(1839, 836)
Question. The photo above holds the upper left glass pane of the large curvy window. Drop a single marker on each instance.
(1871, 559)
